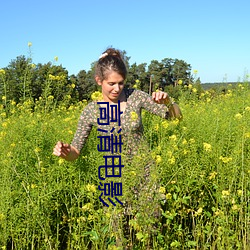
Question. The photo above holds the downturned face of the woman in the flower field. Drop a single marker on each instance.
(112, 86)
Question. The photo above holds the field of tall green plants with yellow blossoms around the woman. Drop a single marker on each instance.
(202, 165)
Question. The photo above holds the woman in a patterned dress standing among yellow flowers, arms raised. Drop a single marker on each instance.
(110, 74)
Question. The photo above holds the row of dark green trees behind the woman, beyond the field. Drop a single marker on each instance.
(22, 79)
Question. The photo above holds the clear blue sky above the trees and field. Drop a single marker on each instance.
(212, 36)
